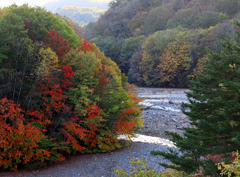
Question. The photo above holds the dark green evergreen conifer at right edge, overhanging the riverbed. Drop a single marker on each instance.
(214, 114)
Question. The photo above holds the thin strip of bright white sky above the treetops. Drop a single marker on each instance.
(5, 3)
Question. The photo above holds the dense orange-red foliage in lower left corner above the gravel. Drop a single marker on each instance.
(18, 142)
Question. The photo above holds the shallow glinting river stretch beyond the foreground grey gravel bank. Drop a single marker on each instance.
(162, 111)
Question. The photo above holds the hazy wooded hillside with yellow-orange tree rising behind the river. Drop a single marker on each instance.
(162, 42)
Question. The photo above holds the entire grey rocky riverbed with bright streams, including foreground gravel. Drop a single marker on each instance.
(161, 112)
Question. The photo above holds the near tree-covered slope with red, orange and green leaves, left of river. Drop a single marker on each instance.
(59, 94)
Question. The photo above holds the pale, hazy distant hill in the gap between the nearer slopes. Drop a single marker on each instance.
(81, 15)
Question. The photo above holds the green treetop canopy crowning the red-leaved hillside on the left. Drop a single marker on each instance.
(14, 21)
